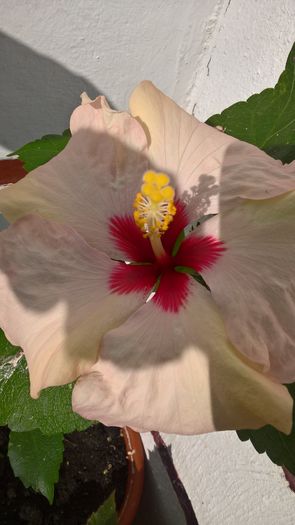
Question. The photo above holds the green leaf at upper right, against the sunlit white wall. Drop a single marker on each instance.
(267, 119)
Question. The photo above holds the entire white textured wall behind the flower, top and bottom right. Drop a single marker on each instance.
(206, 55)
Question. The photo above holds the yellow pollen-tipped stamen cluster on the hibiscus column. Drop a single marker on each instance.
(154, 207)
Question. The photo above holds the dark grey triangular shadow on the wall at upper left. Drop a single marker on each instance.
(37, 95)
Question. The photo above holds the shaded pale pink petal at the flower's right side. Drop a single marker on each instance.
(253, 281)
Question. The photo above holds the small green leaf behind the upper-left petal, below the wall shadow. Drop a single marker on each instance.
(40, 151)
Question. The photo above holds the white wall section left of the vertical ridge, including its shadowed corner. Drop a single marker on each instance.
(51, 51)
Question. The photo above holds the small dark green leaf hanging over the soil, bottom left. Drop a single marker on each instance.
(35, 459)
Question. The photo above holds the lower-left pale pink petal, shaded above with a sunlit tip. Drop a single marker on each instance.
(54, 299)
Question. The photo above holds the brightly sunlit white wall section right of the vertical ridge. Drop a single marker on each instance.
(247, 53)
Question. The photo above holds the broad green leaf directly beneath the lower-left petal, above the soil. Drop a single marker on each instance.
(51, 413)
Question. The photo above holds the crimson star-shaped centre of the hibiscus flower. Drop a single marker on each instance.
(143, 270)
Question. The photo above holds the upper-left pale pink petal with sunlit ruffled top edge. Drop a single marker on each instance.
(95, 177)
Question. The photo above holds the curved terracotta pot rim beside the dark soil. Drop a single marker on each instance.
(134, 488)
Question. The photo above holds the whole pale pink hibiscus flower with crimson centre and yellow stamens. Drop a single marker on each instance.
(152, 259)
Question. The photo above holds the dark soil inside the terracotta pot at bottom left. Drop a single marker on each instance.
(94, 465)
